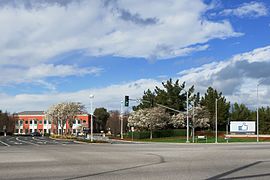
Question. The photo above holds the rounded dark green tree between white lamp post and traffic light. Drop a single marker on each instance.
(101, 117)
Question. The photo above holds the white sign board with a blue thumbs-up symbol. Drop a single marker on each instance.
(242, 126)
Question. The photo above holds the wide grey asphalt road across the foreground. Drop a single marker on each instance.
(133, 161)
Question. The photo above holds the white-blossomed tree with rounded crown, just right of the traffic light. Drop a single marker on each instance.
(149, 119)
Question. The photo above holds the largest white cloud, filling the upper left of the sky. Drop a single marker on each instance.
(34, 33)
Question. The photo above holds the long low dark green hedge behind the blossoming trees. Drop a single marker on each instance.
(157, 133)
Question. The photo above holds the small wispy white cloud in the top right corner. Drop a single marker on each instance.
(251, 9)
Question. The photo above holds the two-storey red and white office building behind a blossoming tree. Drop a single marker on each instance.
(35, 121)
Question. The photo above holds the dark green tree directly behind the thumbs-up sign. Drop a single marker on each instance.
(240, 112)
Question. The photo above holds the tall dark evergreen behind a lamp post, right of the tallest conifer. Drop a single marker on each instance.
(223, 107)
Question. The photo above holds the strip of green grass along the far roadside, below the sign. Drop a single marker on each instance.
(182, 139)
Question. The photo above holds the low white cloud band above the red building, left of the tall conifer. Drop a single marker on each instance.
(108, 97)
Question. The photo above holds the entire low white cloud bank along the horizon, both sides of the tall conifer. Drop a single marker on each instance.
(236, 78)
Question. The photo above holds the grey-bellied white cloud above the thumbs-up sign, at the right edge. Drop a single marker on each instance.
(237, 77)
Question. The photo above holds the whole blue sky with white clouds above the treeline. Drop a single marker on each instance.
(55, 51)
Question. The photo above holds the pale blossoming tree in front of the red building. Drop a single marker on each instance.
(62, 112)
